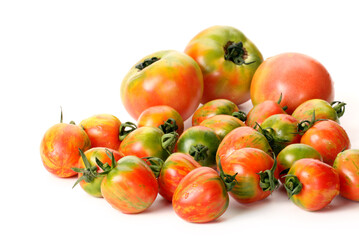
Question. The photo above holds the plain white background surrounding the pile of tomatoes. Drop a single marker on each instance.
(74, 54)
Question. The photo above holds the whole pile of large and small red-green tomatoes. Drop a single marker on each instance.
(291, 137)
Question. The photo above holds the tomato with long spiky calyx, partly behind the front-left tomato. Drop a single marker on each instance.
(88, 170)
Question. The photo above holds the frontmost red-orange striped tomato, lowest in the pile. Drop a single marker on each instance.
(201, 196)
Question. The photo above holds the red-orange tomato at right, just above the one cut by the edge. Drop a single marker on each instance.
(328, 138)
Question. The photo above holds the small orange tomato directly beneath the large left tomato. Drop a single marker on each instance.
(157, 116)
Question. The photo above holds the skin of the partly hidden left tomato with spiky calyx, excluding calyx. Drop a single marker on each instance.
(94, 188)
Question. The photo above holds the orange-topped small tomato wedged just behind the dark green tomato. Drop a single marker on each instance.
(222, 124)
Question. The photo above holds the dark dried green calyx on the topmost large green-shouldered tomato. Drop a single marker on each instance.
(236, 53)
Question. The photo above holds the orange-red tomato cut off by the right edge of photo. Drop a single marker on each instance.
(347, 165)
